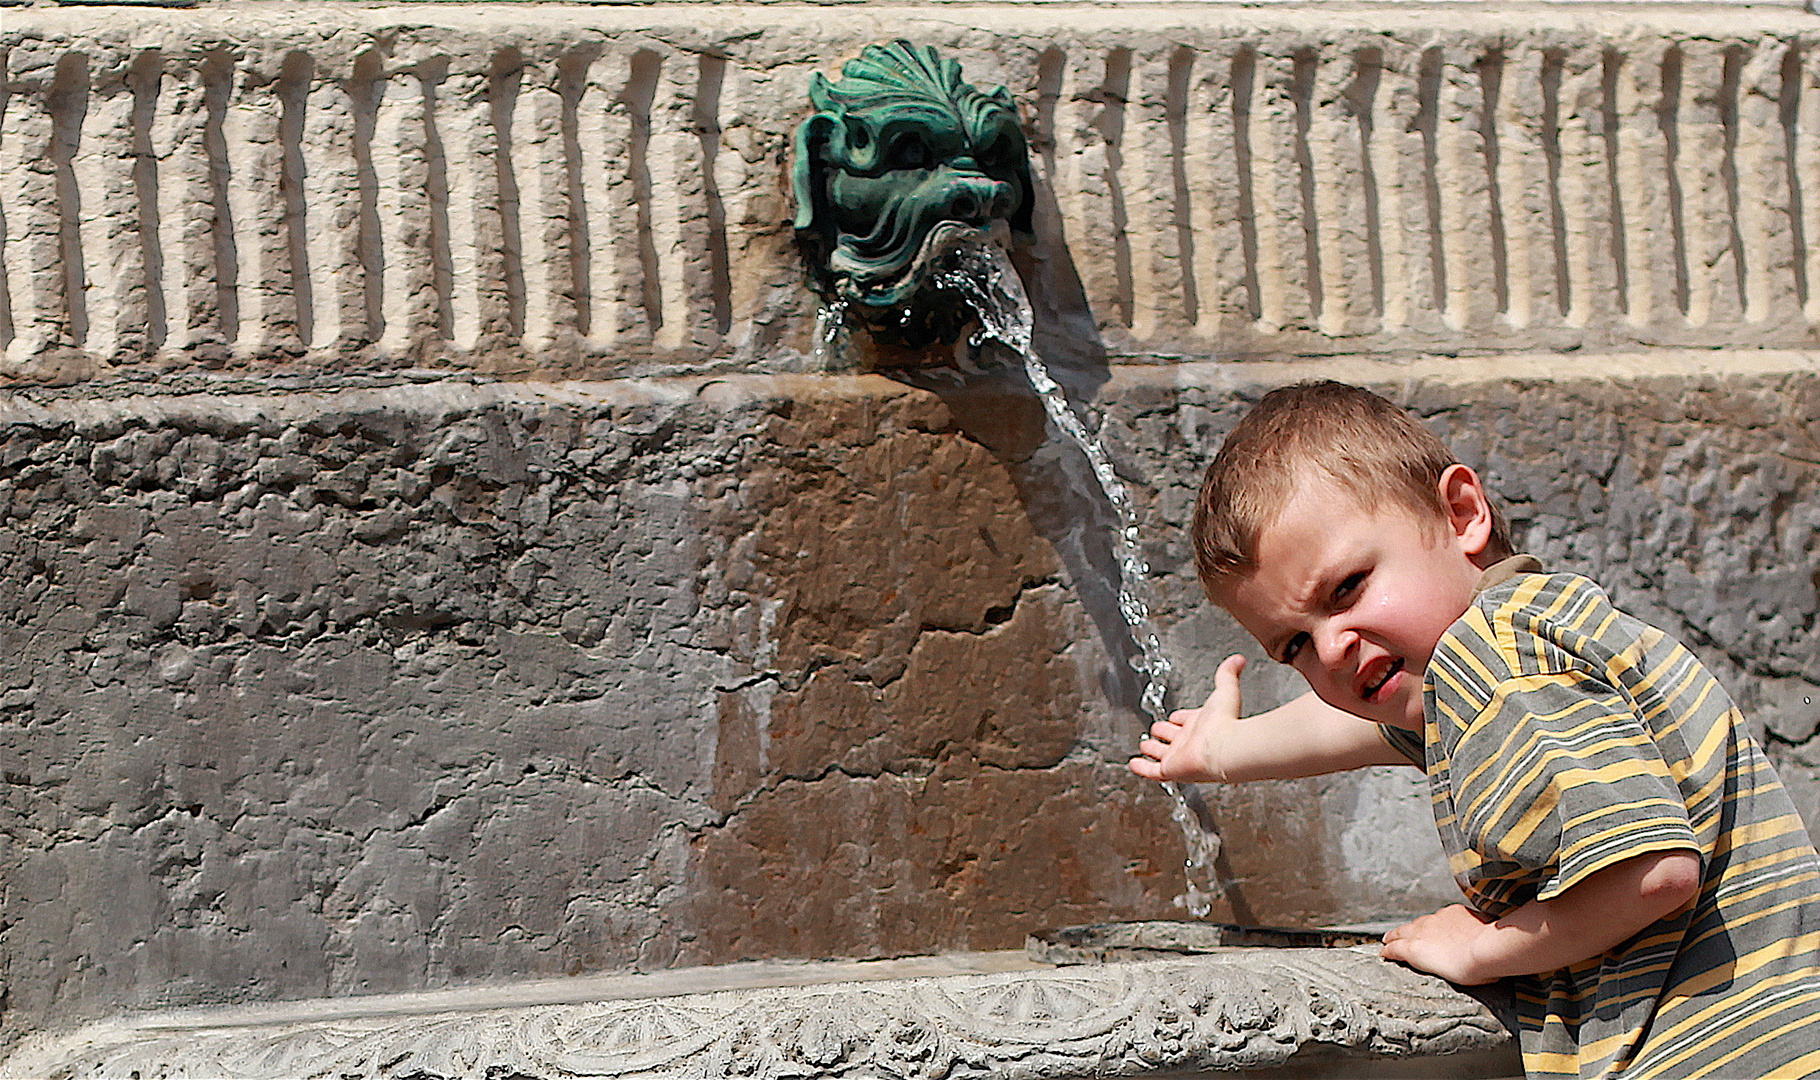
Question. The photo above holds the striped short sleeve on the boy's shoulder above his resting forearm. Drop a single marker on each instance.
(1555, 780)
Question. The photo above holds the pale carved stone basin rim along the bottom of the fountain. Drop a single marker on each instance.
(1244, 1010)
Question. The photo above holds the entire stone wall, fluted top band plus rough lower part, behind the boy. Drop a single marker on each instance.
(425, 558)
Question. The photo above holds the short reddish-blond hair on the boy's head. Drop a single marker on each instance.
(1353, 436)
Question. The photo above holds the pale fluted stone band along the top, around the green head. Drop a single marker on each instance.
(603, 188)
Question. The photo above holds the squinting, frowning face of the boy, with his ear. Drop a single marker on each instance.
(1357, 598)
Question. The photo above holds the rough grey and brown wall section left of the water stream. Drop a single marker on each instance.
(394, 689)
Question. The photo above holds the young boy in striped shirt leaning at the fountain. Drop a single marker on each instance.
(1626, 851)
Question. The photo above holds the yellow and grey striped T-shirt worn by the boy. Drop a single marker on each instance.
(1564, 737)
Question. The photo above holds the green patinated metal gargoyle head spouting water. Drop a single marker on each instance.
(896, 148)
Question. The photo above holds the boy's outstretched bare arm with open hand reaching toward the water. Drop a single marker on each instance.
(1215, 746)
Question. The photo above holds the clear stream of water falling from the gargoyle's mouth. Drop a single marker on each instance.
(982, 274)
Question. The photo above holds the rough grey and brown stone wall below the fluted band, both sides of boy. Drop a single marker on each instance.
(389, 689)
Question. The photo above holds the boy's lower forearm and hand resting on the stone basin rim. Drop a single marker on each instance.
(1544, 935)
